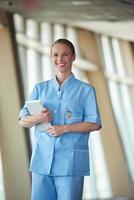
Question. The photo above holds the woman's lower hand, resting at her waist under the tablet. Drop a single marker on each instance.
(56, 131)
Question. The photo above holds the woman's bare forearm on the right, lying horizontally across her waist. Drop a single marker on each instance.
(81, 127)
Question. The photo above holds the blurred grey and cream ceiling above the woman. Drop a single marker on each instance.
(111, 17)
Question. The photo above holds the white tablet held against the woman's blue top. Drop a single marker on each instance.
(34, 107)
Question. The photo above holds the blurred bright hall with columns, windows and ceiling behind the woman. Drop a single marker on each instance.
(102, 32)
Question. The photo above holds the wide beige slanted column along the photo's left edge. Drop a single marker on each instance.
(12, 137)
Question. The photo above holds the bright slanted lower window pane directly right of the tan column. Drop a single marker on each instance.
(121, 119)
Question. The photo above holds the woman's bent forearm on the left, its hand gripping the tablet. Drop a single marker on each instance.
(29, 121)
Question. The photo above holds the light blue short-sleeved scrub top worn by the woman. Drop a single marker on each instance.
(72, 102)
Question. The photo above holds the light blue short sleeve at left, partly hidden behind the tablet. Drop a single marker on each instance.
(33, 96)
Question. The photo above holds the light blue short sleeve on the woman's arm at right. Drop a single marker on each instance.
(91, 110)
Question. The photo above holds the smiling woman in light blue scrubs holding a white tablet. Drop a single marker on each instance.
(60, 158)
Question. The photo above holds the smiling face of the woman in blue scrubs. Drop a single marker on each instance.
(62, 58)
